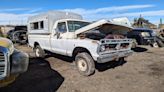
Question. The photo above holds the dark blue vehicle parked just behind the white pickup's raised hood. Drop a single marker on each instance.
(143, 36)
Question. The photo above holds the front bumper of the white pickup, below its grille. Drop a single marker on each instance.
(103, 58)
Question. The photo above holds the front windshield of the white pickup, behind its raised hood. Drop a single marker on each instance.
(74, 25)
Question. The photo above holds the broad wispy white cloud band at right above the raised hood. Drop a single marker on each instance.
(117, 11)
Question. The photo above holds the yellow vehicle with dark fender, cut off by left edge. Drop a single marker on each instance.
(12, 62)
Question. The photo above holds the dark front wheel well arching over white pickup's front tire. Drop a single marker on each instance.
(80, 50)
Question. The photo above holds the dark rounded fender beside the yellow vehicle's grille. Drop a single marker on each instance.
(19, 62)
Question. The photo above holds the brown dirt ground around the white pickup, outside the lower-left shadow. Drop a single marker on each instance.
(141, 72)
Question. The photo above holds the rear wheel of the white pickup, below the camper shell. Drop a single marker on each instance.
(39, 52)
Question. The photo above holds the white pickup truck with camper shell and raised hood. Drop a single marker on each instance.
(68, 34)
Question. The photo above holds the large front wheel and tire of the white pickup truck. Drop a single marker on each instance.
(85, 64)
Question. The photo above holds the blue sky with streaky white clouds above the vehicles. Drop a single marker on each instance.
(17, 11)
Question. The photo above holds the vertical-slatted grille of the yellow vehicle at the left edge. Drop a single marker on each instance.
(2, 65)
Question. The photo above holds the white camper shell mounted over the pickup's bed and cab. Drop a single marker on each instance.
(48, 19)
